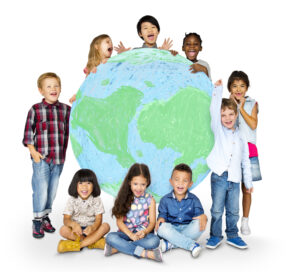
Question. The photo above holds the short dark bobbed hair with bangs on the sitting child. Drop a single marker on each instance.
(81, 176)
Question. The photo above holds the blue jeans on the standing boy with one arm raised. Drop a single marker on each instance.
(224, 194)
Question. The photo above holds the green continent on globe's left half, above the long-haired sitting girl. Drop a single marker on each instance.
(107, 121)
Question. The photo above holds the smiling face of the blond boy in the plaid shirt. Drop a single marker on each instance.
(50, 90)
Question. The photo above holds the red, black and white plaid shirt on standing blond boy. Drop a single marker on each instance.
(47, 129)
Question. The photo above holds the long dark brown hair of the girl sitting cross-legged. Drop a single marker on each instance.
(125, 195)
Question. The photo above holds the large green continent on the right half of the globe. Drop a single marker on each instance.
(167, 124)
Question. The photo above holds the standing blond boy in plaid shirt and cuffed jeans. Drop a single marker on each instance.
(46, 136)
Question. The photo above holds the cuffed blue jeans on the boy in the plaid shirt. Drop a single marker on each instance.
(44, 185)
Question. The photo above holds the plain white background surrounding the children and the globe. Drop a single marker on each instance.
(260, 38)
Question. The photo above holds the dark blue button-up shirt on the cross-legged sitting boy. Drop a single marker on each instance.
(179, 212)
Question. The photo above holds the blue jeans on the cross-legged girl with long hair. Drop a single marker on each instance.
(120, 241)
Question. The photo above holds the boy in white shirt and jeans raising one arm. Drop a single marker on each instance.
(228, 160)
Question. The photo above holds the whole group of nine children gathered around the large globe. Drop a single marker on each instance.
(181, 219)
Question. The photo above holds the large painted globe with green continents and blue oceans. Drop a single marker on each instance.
(142, 106)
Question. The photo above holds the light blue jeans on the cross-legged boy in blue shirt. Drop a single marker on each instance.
(182, 236)
